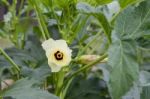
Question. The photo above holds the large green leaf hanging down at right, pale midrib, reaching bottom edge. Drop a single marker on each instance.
(124, 65)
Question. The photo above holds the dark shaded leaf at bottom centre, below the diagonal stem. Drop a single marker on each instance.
(90, 88)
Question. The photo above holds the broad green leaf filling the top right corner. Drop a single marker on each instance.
(134, 22)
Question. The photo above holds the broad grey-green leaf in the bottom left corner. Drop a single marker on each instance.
(23, 89)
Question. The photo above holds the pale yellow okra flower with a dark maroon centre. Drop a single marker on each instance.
(58, 53)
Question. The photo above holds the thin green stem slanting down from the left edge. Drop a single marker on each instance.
(10, 60)
